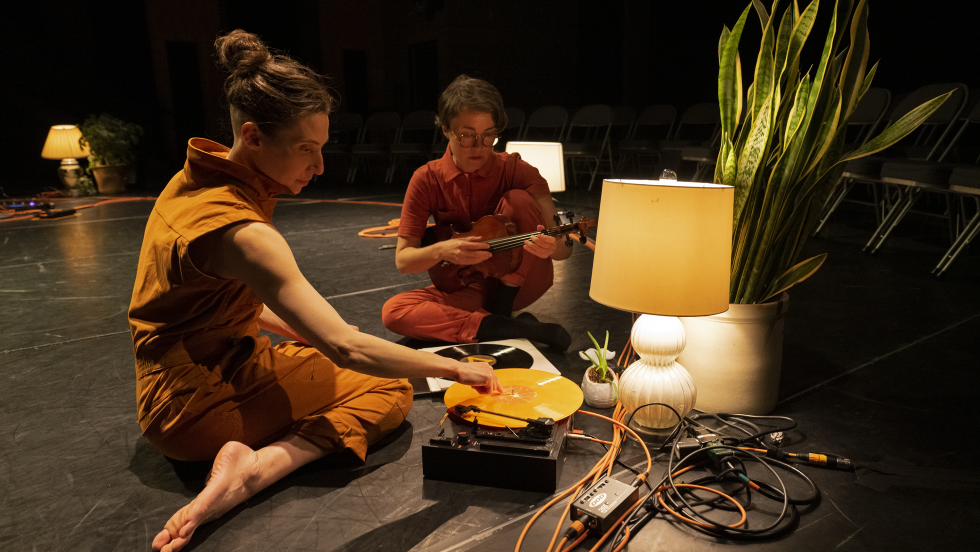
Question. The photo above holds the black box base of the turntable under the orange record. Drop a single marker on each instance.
(495, 457)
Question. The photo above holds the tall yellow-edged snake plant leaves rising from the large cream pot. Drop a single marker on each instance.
(783, 150)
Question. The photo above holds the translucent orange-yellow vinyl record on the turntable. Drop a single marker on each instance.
(527, 394)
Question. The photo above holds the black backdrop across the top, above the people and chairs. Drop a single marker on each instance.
(152, 61)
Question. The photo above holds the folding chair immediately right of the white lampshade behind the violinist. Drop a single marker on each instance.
(590, 129)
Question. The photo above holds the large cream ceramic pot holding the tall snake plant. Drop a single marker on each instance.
(735, 357)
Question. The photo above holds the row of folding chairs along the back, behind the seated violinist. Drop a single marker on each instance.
(596, 138)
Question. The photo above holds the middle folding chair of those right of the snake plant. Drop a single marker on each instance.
(911, 178)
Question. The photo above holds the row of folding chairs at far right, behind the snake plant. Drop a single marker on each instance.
(917, 168)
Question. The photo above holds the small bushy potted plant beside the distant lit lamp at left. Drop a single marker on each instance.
(113, 146)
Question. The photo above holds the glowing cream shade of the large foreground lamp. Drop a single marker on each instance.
(663, 247)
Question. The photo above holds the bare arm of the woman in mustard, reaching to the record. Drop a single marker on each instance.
(256, 254)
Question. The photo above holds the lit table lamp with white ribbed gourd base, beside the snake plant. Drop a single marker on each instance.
(663, 249)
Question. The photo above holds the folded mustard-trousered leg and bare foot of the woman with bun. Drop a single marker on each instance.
(327, 408)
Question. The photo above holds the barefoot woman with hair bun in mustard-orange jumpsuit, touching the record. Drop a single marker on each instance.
(213, 270)
